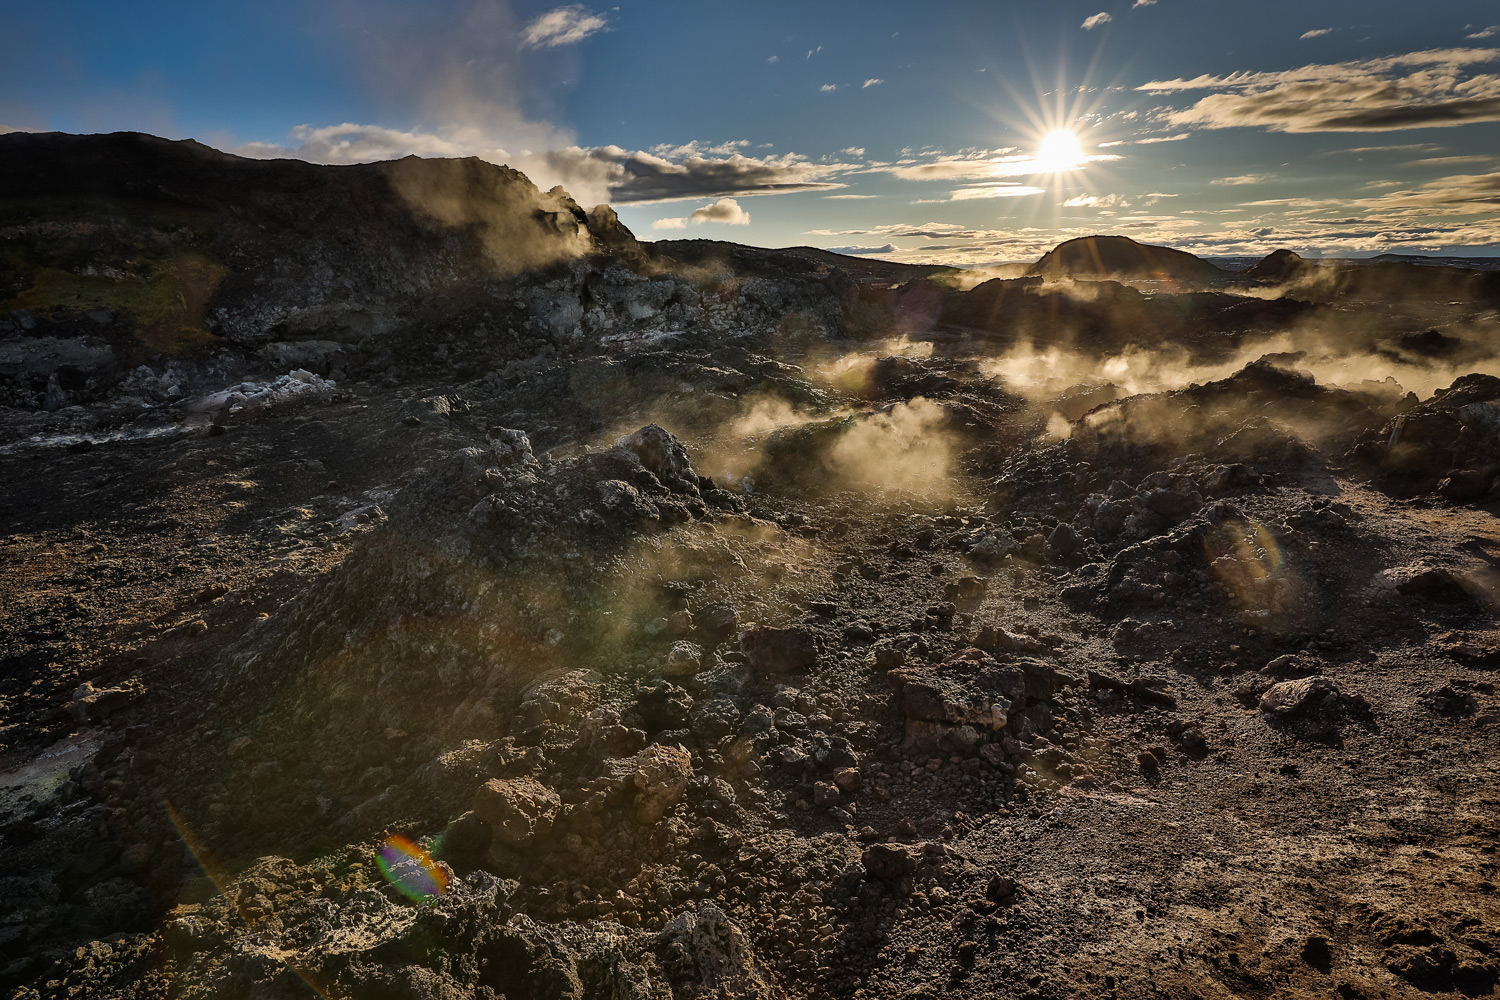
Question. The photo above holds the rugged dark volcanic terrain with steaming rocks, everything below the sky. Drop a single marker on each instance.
(413, 585)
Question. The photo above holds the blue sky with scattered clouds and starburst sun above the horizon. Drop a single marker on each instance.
(895, 128)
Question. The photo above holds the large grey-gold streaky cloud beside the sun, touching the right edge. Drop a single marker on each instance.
(1412, 91)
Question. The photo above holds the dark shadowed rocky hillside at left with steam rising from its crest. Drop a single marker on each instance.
(263, 250)
